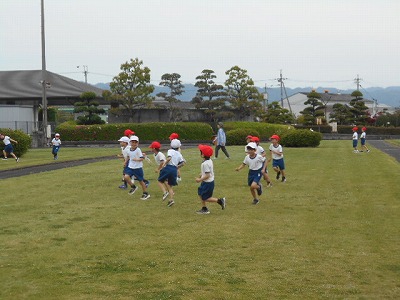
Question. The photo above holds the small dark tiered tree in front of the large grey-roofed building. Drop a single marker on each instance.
(89, 108)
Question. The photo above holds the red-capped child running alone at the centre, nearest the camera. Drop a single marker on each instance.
(206, 188)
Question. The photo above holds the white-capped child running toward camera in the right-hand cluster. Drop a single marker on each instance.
(255, 163)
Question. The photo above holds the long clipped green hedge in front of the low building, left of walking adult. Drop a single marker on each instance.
(145, 131)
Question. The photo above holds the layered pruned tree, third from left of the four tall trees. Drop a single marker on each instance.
(210, 97)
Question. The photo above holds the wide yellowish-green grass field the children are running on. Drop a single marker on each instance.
(332, 231)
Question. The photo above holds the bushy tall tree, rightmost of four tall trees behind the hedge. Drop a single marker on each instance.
(242, 94)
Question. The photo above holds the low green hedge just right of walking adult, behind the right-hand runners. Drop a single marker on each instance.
(265, 130)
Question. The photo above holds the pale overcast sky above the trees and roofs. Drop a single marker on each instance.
(314, 42)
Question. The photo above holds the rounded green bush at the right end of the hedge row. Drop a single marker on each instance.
(301, 138)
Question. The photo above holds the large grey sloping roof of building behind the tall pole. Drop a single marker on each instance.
(26, 85)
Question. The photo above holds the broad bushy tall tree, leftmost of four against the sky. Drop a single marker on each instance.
(131, 88)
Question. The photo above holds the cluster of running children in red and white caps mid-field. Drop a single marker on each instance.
(168, 166)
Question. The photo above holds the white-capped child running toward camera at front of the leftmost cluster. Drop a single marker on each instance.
(135, 168)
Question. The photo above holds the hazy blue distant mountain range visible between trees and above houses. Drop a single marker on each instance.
(389, 96)
